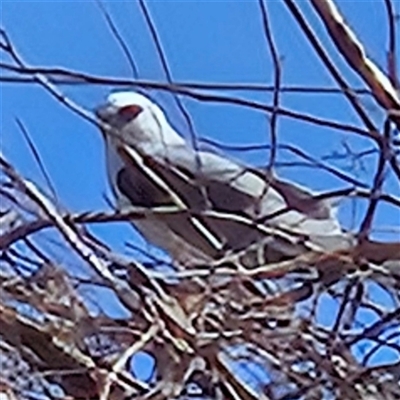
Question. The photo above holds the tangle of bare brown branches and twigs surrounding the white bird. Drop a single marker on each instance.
(245, 326)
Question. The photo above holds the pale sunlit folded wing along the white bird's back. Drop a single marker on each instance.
(235, 187)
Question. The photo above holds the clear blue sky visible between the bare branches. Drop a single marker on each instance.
(204, 41)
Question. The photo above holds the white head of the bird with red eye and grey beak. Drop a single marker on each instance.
(134, 118)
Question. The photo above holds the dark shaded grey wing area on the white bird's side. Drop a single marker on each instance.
(199, 194)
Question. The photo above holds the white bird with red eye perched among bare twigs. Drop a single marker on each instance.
(225, 206)
